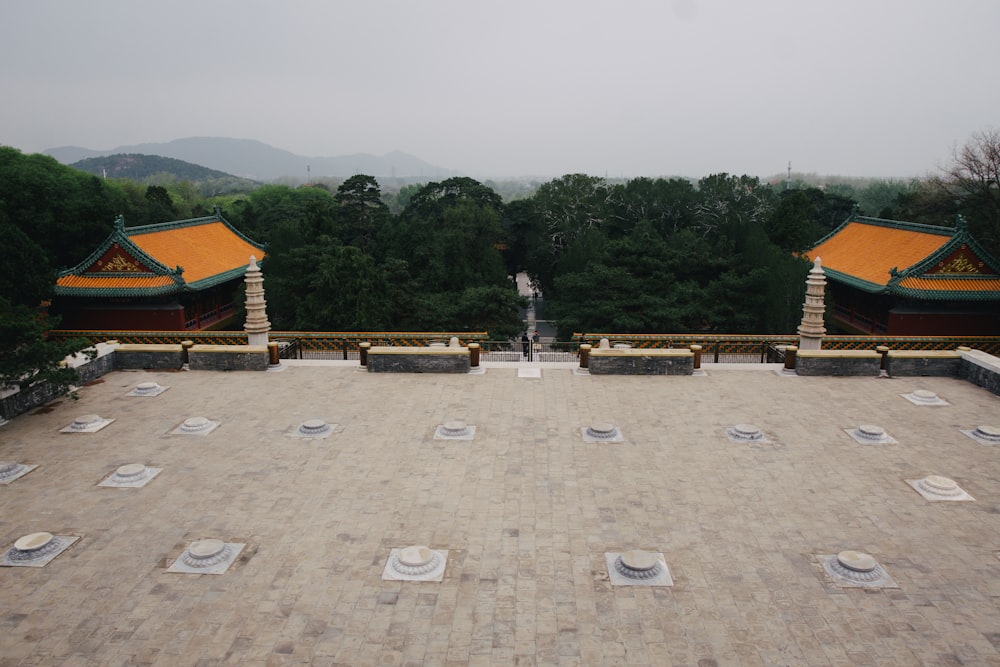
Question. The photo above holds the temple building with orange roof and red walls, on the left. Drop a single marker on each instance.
(172, 276)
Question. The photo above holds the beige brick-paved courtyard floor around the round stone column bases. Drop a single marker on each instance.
(526, 511)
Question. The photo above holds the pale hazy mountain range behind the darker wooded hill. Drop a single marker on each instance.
(258, 161)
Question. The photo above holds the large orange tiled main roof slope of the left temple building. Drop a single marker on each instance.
(203, 251)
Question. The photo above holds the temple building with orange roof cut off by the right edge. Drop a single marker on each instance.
(888, 277)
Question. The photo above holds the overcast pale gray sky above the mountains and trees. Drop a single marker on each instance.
(539, 87)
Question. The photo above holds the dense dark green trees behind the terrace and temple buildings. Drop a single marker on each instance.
(641, 255)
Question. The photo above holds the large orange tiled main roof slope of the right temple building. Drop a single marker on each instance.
(868, 252)
